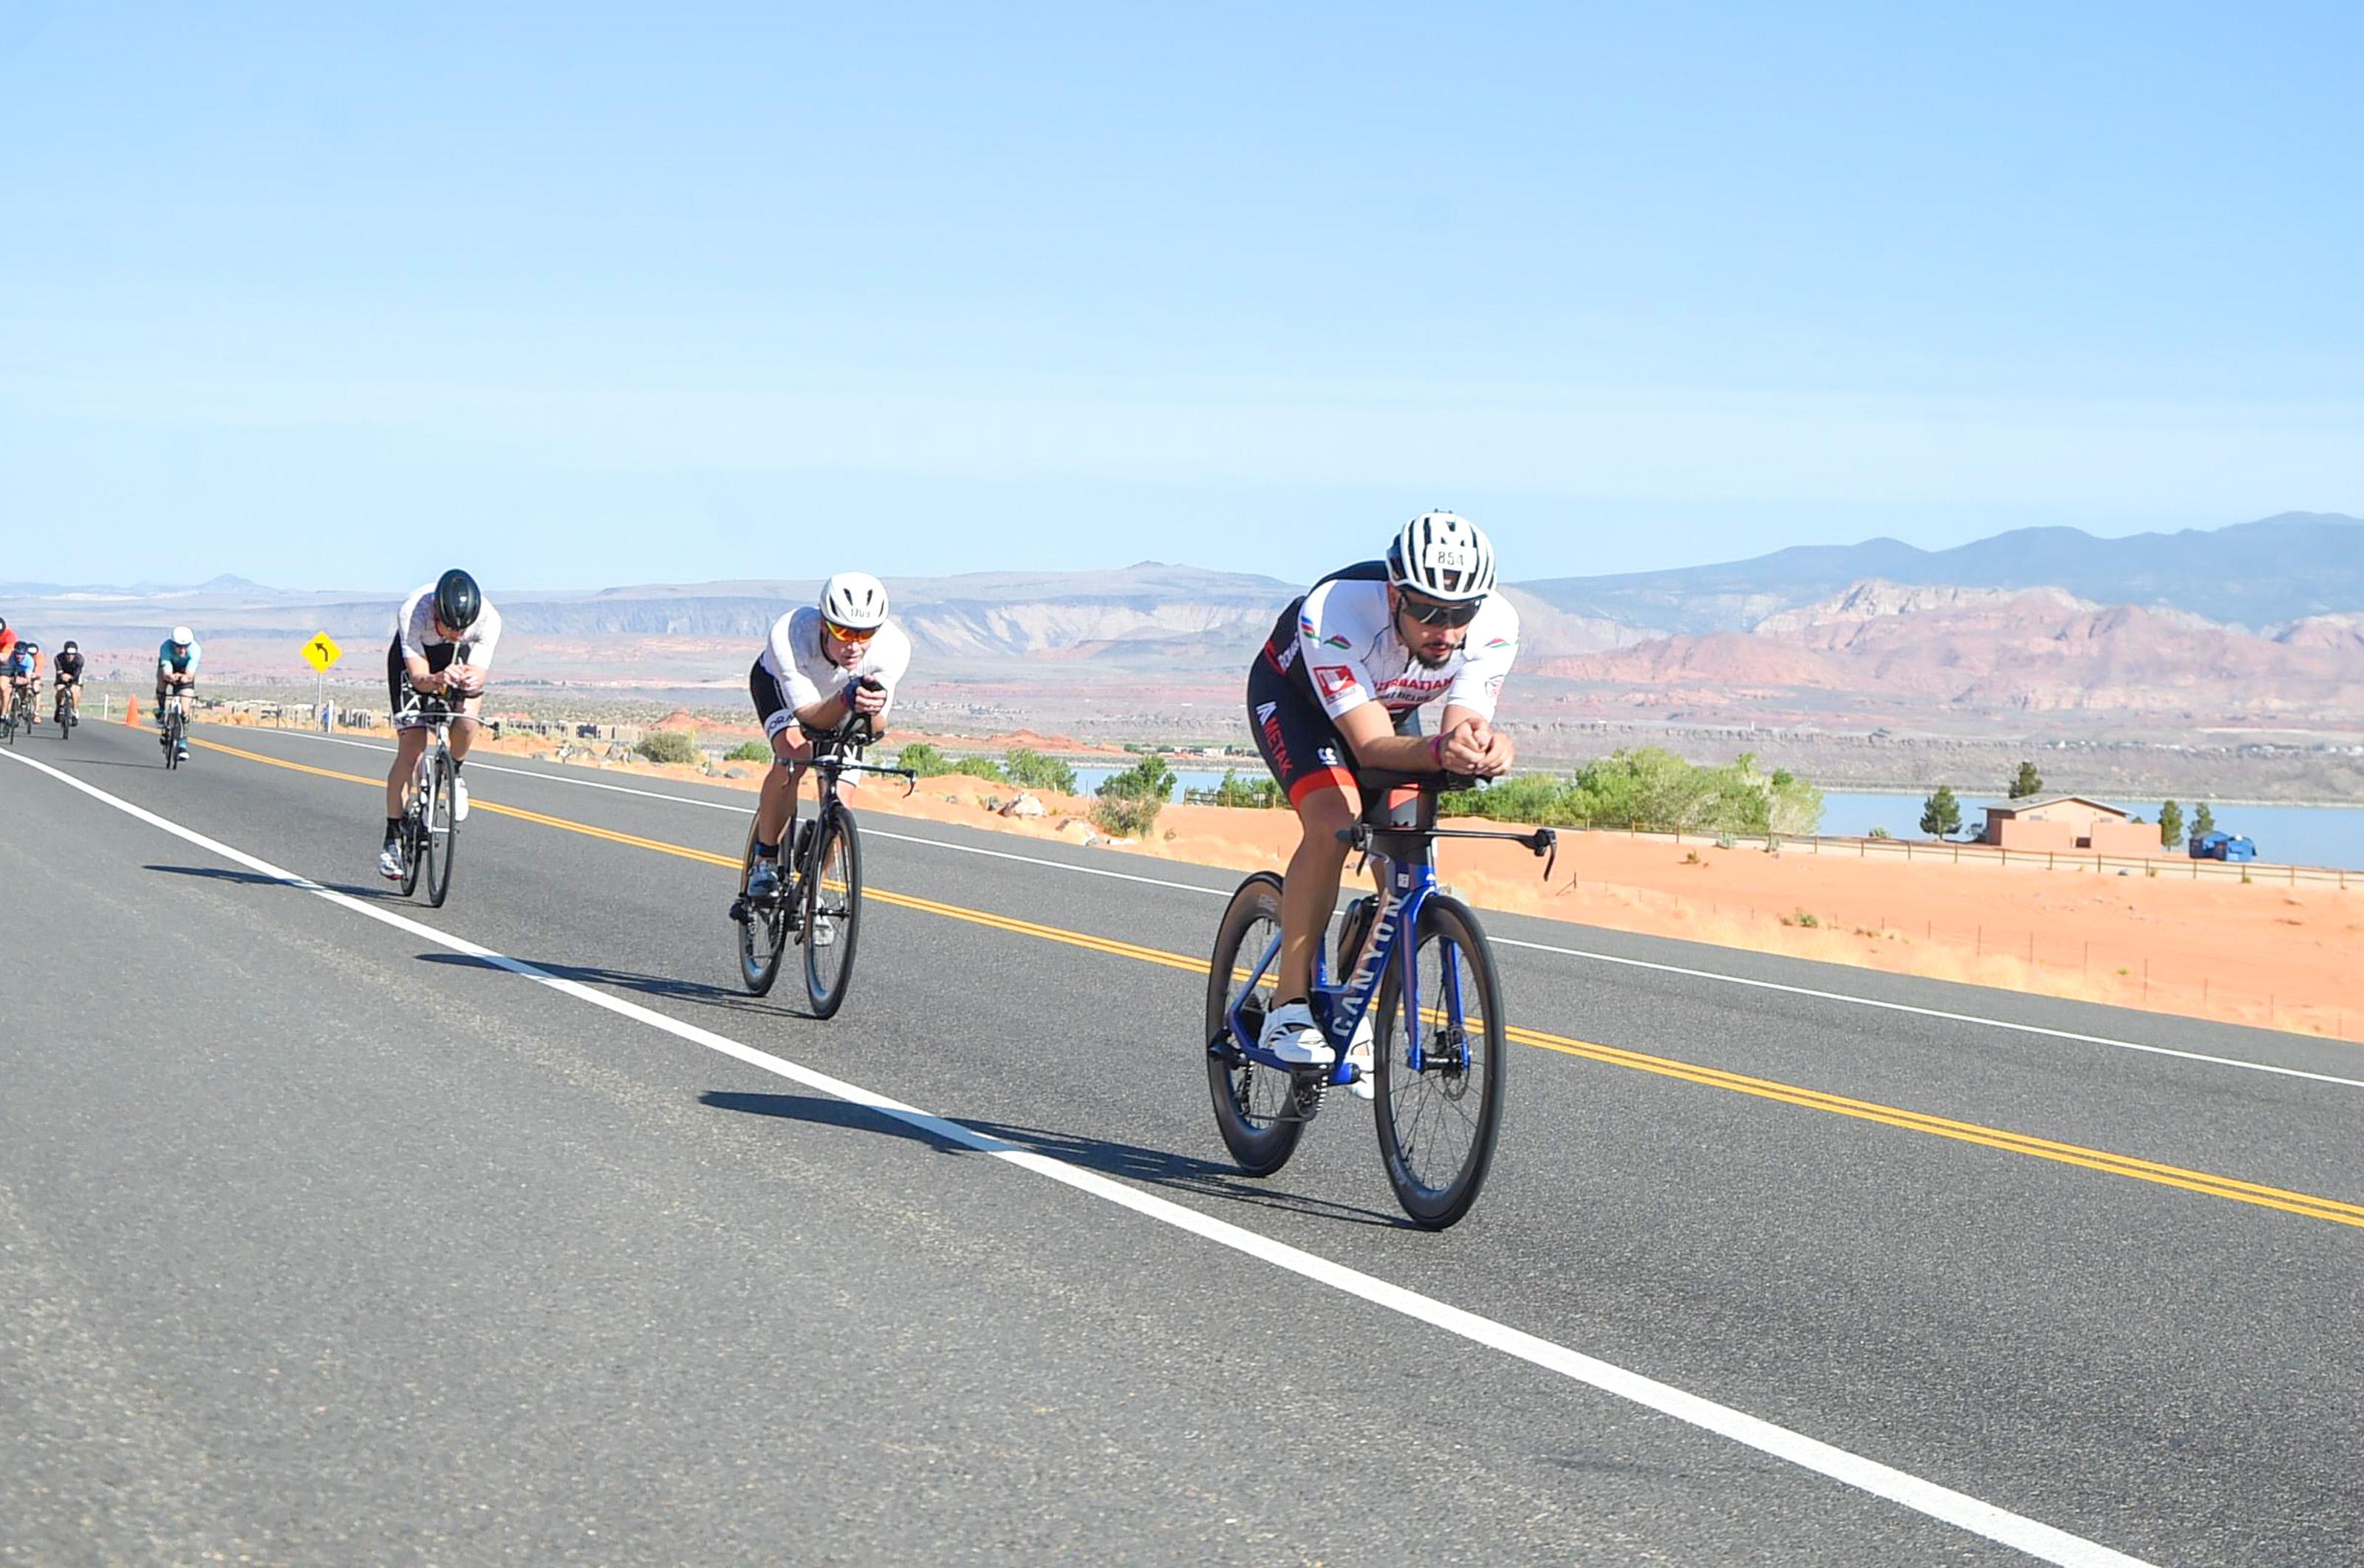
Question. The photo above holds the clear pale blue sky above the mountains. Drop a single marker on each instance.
(611, 294)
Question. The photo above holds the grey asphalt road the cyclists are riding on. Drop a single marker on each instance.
(327, 1238)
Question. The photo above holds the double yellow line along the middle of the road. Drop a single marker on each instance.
(1613, 1056)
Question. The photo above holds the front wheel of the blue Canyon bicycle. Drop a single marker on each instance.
(1438, 1125)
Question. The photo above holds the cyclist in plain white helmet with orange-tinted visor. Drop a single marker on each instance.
(821, 663)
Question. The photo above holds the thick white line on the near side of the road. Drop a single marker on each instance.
(1840, 1465)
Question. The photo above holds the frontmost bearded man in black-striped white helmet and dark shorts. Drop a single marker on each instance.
(1339, 687)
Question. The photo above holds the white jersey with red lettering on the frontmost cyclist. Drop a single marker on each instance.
(1351, 654)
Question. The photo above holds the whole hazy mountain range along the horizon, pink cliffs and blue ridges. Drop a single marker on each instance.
(2254, 623)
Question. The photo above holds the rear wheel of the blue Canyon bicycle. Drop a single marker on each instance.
(1256, 1108)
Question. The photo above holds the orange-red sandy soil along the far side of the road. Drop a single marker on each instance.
(2254, 954)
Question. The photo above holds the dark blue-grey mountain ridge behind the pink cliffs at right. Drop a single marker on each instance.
(2252, 576)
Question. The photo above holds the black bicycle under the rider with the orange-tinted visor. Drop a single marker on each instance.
(821, 886)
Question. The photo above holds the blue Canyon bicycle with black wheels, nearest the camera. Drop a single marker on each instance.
(1420, 968)
